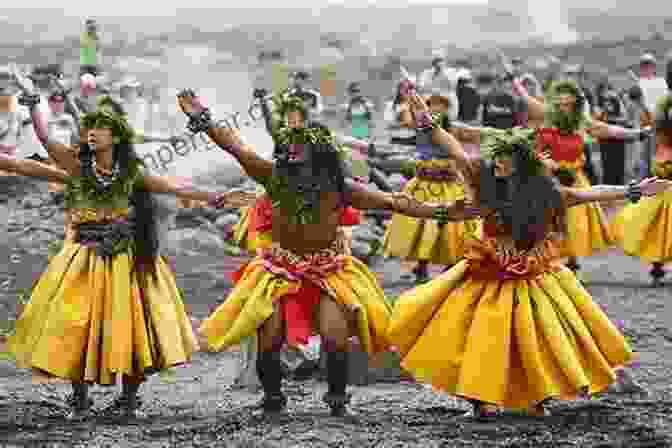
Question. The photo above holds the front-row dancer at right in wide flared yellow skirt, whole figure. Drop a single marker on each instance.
(510, 326)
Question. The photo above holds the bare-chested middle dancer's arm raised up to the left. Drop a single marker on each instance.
(228, 139)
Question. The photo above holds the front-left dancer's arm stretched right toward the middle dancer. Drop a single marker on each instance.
(184, 189)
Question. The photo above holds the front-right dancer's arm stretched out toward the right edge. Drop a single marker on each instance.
(603, 193)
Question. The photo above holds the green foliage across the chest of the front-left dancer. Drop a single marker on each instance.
(84, 190)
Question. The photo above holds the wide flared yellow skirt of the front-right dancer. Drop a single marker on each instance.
(512, 343)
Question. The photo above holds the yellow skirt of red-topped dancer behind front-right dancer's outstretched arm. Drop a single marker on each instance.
(588, 230)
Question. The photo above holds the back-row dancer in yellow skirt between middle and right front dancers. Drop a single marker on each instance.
(436, 180)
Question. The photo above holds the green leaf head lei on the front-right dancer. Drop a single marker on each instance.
(505, 142)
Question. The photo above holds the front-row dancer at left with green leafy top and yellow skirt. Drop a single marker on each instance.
(107, 304)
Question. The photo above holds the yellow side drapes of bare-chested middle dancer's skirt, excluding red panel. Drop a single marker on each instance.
(252, 301)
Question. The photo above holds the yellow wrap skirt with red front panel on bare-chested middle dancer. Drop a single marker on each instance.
(296, 284)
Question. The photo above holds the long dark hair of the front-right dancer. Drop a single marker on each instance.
(527, 202)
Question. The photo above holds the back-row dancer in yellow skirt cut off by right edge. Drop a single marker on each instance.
(649, 223)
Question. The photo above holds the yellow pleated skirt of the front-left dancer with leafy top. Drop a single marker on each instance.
(88, 320)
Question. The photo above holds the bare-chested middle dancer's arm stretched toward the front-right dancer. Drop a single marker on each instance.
(365, 199)
